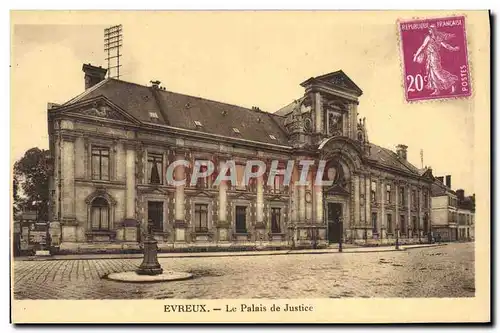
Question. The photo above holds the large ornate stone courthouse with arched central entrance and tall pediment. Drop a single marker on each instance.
(112, 145)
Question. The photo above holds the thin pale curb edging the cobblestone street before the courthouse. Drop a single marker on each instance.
(239, 254)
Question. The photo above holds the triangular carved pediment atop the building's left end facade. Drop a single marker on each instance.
(99, 107)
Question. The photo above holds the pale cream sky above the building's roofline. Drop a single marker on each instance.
(248, 59)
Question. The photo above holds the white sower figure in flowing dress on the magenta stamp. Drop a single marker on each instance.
(437, 77)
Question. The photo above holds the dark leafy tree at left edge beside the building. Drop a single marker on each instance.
(32, 173)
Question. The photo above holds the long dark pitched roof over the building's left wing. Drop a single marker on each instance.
(179, 110)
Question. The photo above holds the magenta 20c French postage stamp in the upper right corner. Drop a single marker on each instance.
(434, 55)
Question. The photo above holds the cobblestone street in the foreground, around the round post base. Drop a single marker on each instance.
(444, 271)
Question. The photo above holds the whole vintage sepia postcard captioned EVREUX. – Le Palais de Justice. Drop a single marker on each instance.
(240, 166)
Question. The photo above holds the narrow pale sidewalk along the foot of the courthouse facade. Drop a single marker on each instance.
(347, 249)
